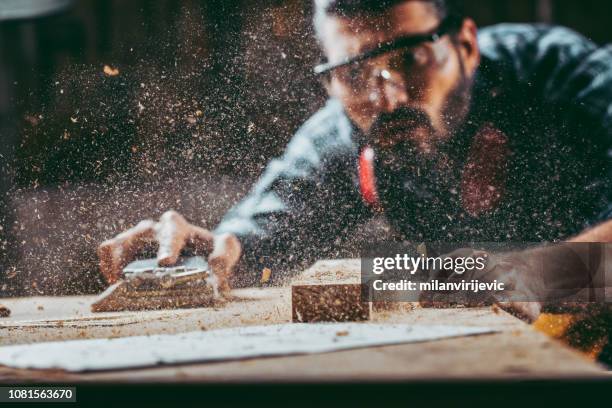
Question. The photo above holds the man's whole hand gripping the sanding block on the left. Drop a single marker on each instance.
(172, 233)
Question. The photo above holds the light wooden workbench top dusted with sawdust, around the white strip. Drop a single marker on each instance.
(517, 351)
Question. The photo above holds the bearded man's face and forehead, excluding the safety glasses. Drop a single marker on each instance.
(414, 97)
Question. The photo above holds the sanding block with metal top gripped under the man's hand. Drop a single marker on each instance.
(146, 286)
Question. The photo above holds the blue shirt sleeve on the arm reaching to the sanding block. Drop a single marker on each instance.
(303, 202)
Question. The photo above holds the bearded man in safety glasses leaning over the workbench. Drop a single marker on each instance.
(453, 134)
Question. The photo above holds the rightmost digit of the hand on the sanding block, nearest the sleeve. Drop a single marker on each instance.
(224, 257)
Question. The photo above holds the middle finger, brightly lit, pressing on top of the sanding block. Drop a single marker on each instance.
(171, 233)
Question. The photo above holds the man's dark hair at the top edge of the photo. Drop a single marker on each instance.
(353, 8)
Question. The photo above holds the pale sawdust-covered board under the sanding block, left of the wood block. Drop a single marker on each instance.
(41, 319)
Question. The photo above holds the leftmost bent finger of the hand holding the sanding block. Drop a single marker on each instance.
(115, 253)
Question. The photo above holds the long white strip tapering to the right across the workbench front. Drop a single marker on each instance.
(216, 345)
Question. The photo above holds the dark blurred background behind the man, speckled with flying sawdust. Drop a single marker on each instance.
(207, 92)
